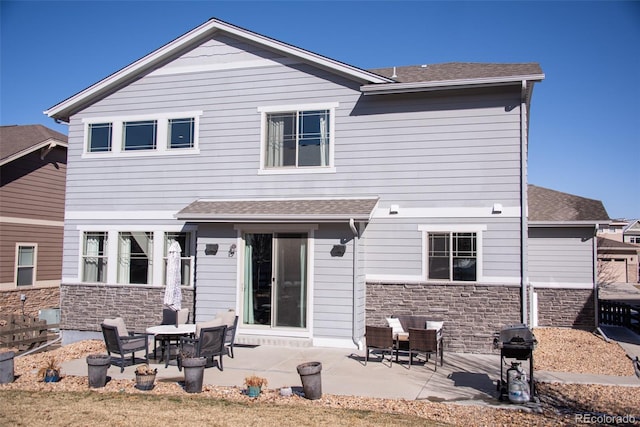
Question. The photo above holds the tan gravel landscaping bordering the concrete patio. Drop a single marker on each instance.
(562, 350)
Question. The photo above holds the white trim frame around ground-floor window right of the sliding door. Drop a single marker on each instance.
(452, 228)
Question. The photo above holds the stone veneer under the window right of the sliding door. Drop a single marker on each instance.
(472, 313)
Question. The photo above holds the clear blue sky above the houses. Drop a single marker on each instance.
(585, 118)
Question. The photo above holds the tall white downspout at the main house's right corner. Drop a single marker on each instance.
(524, 211)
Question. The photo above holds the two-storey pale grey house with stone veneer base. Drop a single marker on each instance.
(310, 195)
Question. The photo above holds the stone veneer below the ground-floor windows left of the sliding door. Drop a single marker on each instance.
(85, 306)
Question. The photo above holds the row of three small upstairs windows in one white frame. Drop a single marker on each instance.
(163, 133)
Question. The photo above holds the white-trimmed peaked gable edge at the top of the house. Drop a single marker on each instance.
(193, 38)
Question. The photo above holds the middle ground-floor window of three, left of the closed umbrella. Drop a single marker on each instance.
(135, 255)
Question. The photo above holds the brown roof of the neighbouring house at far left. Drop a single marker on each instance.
(23, 139)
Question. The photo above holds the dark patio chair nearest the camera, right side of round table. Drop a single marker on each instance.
(208, 343)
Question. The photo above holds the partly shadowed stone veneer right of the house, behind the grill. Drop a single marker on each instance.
(573, 308)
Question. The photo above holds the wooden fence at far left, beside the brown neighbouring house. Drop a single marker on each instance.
(24, 332)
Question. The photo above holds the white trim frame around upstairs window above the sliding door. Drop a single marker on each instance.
(331, 106)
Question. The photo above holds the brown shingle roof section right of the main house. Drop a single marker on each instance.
(550, 205)
